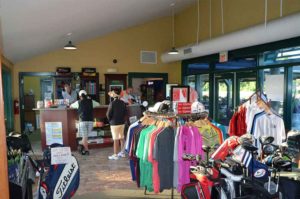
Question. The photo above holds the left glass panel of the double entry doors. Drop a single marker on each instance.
(224, 98)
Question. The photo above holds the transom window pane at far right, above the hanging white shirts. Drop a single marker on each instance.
(286, 55)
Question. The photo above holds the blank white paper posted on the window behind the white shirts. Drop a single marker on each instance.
(274, 87)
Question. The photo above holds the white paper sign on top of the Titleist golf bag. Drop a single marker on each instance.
(60, 155)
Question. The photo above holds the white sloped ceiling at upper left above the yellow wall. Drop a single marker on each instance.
(34, 27)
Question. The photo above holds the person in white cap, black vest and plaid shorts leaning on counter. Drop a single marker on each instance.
(85, 107)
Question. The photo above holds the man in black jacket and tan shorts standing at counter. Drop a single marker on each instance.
(116, 114)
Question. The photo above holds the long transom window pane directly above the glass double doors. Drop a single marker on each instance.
(237, 64)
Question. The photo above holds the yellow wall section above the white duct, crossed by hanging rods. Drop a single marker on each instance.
(238, 14)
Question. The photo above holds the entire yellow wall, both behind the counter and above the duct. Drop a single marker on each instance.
(125, 45)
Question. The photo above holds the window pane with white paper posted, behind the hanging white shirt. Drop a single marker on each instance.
(274, 88)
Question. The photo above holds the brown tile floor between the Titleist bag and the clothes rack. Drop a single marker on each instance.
(103, 178)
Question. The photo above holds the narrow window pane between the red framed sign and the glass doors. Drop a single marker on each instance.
(203, 89)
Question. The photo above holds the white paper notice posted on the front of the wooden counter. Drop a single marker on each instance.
(53, 133)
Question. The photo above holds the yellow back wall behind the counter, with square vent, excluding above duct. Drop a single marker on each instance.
(124, 45)
